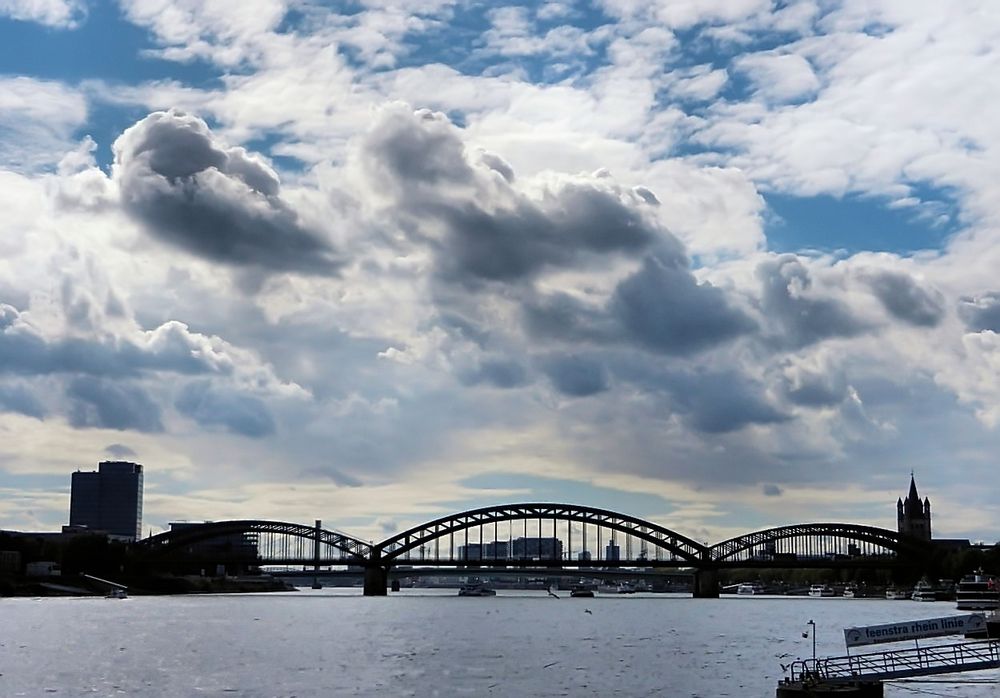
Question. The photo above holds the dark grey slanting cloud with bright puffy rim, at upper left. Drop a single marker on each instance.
(219, 203)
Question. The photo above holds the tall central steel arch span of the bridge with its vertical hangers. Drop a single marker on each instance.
(646, 532)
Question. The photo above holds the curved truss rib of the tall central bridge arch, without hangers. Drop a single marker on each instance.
(397, 546)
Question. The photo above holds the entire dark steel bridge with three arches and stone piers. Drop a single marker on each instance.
(526, 536)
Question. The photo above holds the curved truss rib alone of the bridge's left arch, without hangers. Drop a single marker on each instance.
(352, 549)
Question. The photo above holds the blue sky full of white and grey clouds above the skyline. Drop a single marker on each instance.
(722, 264)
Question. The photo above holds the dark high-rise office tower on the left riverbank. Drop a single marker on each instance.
(109, 499)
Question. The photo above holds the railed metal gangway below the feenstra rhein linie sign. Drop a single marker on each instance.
(897, 664)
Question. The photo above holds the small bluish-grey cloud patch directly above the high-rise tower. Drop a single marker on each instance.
(111, 405)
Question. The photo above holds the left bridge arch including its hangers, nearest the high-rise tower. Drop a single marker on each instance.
(270, 541)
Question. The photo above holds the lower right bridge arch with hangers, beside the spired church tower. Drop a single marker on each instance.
(811, 539)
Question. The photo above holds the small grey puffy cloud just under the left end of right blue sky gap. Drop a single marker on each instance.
(802, 318)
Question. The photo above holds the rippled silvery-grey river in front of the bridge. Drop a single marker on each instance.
(334, 642)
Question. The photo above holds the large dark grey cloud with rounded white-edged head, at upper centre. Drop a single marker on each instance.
(480, 228)
